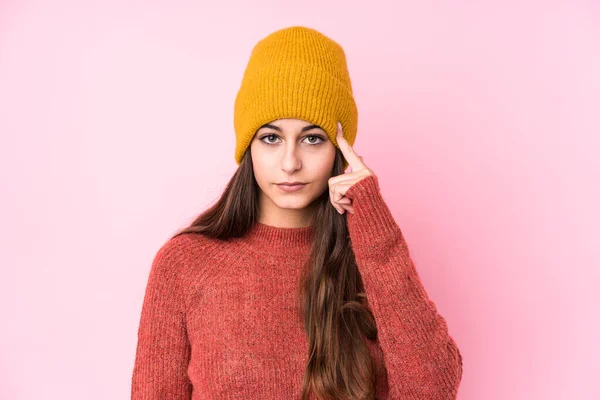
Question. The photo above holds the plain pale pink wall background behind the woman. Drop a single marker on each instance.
(480, 118)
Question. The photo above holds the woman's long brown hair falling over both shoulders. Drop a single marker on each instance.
(332, 299)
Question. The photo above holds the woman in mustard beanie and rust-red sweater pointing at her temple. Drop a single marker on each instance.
(285, 291)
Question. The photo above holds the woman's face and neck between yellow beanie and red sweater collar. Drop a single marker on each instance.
(291, 150)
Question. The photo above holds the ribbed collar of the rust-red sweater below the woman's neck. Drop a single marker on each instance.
(278, 240)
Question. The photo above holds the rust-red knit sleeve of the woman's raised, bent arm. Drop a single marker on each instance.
(422, 360)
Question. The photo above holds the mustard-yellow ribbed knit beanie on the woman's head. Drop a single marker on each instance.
(295, 72)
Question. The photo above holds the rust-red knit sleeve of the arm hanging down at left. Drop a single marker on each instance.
(163, 349)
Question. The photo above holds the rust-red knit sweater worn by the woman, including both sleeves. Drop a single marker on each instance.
(219, 318)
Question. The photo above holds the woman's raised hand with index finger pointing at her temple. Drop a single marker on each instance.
(339, 185)
